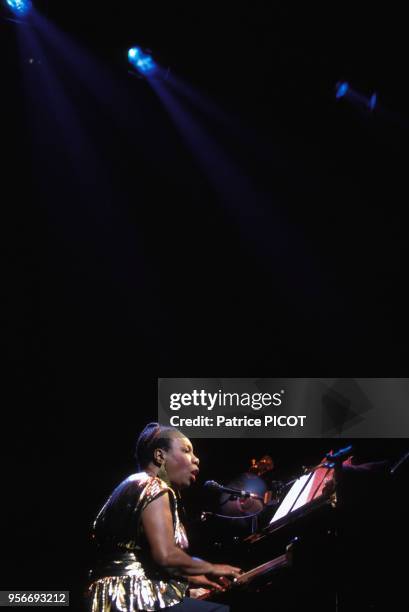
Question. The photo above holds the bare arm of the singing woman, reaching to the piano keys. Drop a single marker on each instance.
(157, 523)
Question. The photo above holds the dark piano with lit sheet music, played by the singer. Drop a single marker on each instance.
(288, 551)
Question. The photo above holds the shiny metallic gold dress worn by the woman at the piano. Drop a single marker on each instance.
(125, 578)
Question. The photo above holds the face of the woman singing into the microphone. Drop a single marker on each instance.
(182, 465)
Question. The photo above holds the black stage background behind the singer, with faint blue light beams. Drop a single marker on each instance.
(125, 262)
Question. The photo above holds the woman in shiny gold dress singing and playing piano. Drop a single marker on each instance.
(141, 541)
